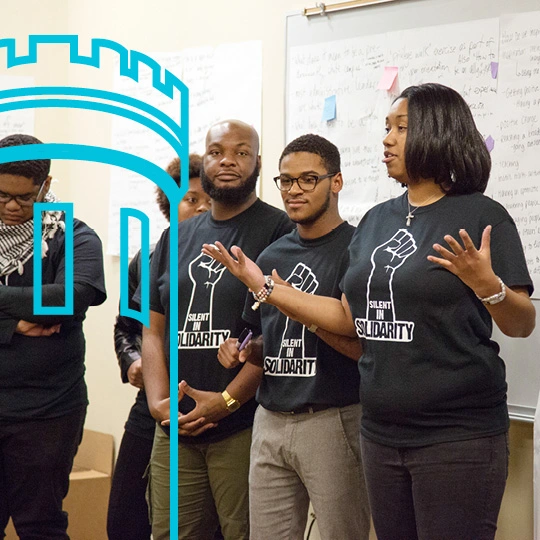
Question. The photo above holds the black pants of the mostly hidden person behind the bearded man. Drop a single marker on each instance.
(128, 512)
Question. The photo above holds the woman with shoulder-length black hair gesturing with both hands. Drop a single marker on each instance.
(429, 273)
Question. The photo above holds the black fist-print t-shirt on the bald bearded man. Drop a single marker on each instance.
(211, 301)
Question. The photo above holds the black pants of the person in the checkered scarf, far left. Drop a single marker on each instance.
(36, 457)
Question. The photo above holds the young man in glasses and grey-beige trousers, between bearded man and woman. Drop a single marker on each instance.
(306, 434)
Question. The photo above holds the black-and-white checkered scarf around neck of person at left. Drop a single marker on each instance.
(17, 241)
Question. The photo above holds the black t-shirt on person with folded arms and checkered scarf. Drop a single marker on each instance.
(43, 377)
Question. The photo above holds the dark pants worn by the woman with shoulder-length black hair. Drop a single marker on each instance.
(446, 491)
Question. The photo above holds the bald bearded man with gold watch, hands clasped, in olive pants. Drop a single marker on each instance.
(216, 406)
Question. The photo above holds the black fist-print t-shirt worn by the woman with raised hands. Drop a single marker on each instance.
(430, 372)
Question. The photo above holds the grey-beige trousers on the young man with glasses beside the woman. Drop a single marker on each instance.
(302, 457)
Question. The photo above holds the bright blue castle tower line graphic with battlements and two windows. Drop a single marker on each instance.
(175, 133)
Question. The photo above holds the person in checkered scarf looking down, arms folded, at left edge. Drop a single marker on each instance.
(42, 390)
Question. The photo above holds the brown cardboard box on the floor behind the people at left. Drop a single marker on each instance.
(89, 487)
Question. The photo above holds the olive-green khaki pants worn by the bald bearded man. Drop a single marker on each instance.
(212, 482)
